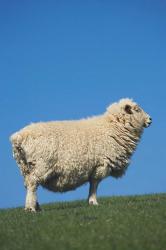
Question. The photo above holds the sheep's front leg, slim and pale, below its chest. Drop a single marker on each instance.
(92, 199)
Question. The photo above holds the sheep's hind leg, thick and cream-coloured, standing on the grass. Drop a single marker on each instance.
(31, 203)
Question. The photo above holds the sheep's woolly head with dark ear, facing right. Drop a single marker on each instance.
(130, 113)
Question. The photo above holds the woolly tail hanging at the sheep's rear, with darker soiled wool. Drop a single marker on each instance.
(19, 153)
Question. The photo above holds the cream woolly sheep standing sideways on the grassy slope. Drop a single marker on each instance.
(63, 155)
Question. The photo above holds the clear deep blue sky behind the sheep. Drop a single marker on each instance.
(71, 59)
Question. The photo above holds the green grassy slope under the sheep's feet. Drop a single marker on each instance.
(133, 222)
